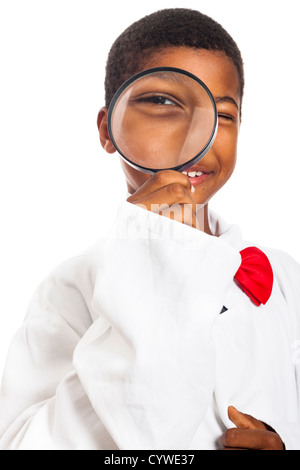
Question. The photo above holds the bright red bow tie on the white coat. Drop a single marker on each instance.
(255, 275)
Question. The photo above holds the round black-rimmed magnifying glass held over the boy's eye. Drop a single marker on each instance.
(162, 118)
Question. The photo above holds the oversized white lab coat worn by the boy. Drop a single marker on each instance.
(124, 346)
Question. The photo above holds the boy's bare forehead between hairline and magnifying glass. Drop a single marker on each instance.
(214, 68)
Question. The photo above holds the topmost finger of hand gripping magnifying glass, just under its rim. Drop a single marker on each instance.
(159, 180)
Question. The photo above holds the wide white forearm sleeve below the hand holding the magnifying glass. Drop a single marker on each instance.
(150, 373)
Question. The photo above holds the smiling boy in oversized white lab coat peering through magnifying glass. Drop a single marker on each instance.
(145, 340)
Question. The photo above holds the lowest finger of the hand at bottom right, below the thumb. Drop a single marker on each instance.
(253, 439)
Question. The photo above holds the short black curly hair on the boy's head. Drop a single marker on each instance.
(173, 27)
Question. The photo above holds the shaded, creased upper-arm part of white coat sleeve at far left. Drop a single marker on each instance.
(43, 405)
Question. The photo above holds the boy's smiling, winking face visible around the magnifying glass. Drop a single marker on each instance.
(218, 72)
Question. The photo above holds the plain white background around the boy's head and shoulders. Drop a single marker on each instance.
(59, 189)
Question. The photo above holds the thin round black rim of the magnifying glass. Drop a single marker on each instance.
(150, 71)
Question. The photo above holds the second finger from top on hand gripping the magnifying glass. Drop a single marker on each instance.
(168, 196)
